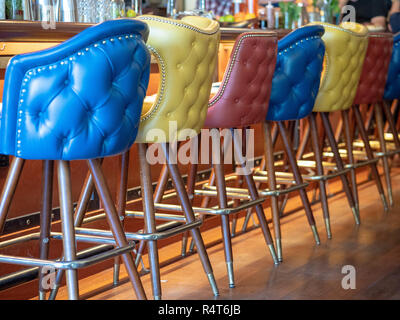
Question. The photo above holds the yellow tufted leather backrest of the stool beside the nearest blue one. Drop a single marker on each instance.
(186, 51)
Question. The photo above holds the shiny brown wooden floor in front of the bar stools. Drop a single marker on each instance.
(307, 272)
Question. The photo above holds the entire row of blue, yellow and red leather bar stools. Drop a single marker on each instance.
(85, 99)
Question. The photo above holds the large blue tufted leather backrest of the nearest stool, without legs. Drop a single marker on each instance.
(81, 99)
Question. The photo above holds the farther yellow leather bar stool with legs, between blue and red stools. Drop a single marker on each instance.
(345, 47)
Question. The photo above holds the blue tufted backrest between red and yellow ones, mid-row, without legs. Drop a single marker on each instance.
(297, 75)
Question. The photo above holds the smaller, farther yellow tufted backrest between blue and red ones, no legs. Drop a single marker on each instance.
(345, 48)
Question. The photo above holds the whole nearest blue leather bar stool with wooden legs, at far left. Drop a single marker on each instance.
(79, 100)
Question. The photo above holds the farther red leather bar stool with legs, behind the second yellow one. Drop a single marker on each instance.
(370, 92)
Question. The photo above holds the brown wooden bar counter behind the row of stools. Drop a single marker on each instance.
(17, 37)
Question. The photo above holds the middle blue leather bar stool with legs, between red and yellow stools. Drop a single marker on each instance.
(294, 89)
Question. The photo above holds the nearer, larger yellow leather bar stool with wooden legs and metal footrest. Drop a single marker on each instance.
(186, 53)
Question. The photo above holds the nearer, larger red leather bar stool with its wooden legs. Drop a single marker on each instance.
(242, 100)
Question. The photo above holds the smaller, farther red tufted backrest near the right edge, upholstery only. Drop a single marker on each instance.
(376, 64)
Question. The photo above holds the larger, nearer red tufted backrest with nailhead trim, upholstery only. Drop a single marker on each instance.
(242, 98)
